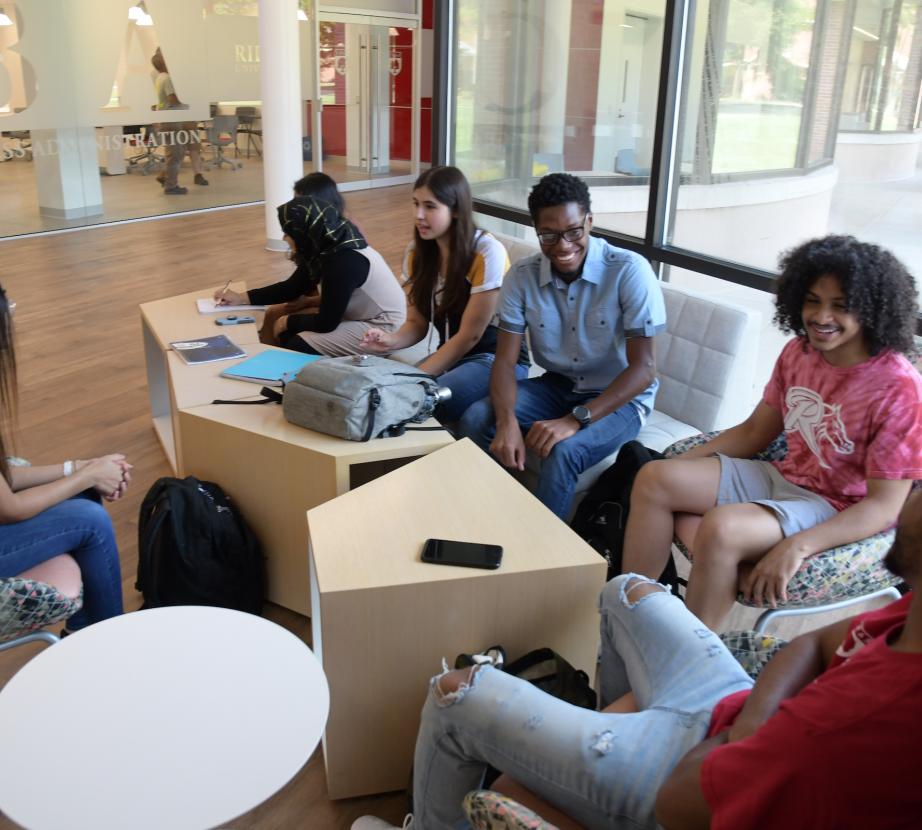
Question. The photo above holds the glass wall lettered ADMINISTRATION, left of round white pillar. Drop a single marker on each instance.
(82, 139)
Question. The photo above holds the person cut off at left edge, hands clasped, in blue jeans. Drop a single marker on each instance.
(47, 511)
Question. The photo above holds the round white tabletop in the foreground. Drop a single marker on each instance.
(182, 717)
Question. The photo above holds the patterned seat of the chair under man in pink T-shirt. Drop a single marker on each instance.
(845, 572)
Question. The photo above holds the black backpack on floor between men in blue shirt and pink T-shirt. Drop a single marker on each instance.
(601, 517)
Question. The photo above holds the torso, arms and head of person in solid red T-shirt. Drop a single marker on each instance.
(828, 736)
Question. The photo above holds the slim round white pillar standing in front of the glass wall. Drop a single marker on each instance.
(280, 84)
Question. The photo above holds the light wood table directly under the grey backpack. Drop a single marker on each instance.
(275, 471)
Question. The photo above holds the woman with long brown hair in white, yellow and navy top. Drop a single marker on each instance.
(452, 272)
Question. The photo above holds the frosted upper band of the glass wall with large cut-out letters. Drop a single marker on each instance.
(62, 69)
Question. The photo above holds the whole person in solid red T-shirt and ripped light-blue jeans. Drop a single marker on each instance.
(824, 739)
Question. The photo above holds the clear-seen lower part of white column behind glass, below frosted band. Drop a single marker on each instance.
(67, 172)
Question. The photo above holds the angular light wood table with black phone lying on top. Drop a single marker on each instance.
(383, 620)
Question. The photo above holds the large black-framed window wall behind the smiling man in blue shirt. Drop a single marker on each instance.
(781, 120)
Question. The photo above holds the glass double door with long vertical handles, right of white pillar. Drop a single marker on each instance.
(369, 105)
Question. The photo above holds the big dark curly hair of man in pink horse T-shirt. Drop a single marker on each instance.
(878, 289)
